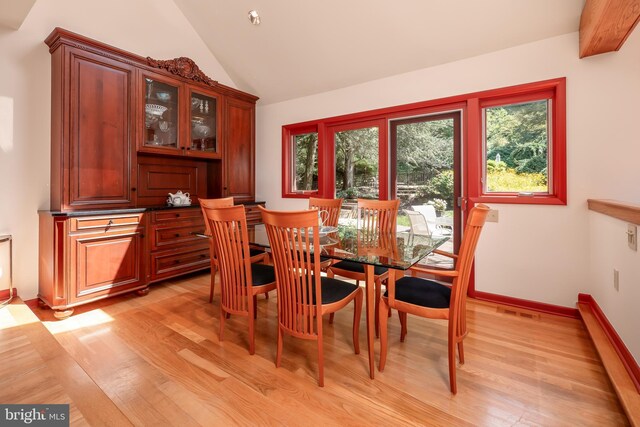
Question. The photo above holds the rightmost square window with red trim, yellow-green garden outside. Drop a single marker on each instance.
(521, 155)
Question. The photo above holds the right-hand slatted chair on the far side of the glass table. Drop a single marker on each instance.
(373, 216)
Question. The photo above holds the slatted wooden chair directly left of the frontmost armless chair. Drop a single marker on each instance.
(241, 280)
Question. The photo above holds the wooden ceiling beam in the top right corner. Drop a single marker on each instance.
(606, 24)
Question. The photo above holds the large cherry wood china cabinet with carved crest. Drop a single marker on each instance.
(125, 131)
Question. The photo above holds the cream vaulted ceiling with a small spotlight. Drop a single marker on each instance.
(304, 47)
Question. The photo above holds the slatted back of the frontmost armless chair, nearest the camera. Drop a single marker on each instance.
(291, 235)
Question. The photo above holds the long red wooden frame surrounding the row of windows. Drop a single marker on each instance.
(473, 153)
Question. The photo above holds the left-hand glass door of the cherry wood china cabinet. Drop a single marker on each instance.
(161, 114)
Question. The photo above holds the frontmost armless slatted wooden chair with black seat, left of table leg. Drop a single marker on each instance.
(304, 296)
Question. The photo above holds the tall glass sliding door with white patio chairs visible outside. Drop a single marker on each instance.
(426, 176)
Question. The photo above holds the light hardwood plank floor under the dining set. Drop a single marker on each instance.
(157, 360)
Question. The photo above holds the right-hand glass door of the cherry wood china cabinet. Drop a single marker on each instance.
(203, 115)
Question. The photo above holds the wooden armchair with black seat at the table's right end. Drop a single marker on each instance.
(427, 298)
